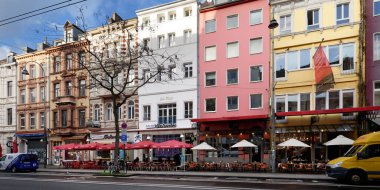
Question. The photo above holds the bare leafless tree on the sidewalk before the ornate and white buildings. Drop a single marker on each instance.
(113, 58)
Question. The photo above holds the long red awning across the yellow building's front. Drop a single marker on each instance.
(331, 111)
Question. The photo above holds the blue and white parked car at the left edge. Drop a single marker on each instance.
(19, 162)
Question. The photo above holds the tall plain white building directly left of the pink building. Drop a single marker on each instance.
(166, 107)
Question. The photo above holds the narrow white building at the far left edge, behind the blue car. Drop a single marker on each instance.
(7, 102)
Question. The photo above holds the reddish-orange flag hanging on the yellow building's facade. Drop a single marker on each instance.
(324, 77)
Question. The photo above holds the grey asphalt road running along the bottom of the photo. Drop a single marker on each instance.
(49, 181)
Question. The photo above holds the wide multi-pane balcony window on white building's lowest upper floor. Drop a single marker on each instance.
(167, 114)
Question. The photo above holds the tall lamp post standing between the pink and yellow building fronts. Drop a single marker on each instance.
(272, 25)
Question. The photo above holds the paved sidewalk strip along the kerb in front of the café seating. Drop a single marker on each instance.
(285, 176)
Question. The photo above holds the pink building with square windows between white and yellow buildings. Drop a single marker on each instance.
(234, 75)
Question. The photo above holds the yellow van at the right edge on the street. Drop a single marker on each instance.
(360, 163)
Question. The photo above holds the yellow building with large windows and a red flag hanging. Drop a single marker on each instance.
(303, 26)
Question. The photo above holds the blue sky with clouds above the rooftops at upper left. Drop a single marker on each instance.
(30, 31)
